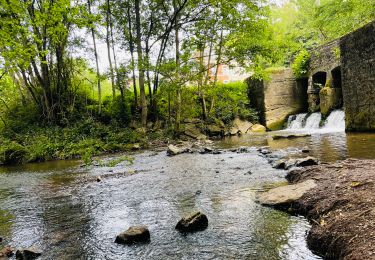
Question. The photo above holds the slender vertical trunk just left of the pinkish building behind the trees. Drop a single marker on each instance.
(178, 90)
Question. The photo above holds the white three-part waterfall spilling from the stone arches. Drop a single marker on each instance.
(335, 122)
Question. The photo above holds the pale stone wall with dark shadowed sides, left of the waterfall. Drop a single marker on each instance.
(278, 97)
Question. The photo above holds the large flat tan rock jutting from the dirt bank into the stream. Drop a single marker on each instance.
(283, 196)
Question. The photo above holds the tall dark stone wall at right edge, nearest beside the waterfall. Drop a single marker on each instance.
(358, 78)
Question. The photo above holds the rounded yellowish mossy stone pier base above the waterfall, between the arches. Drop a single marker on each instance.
(330, 99)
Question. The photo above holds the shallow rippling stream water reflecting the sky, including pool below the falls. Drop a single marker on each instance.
(60, 208)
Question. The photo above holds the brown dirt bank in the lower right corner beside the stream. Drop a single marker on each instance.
(341, 208)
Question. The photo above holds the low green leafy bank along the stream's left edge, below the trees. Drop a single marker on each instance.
(82, 140)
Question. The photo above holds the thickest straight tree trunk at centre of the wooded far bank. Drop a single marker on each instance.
(141, 68)
